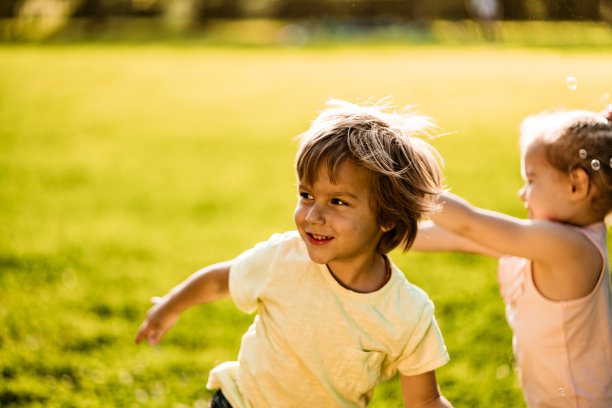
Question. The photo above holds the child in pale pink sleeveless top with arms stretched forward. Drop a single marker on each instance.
(554, 273)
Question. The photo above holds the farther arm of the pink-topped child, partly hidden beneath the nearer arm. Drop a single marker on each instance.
(433, 237)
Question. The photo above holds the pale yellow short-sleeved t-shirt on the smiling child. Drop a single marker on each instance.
(315, 343)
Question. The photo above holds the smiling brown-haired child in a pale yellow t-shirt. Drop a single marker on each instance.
(335, 316)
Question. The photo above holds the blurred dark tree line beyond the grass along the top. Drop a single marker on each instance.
(40, 19)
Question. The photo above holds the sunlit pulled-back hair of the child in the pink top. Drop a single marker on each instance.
(576, 139)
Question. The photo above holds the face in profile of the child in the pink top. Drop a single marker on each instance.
(547, 190)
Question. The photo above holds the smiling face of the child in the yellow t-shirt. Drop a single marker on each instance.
(335, 220)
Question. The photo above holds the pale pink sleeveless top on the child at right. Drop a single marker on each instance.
(563, 348)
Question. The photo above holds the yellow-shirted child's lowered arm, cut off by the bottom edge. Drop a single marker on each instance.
(422, 391)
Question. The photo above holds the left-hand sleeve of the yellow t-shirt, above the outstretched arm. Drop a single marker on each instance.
(249, 274)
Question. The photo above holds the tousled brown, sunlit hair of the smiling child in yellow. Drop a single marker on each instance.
(404, 173)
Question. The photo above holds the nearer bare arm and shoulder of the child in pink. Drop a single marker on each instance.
(565, 264)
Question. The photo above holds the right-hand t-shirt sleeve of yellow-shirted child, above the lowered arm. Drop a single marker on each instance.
(425, 350)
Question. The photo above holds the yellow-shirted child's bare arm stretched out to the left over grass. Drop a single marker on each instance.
(205, 285)
